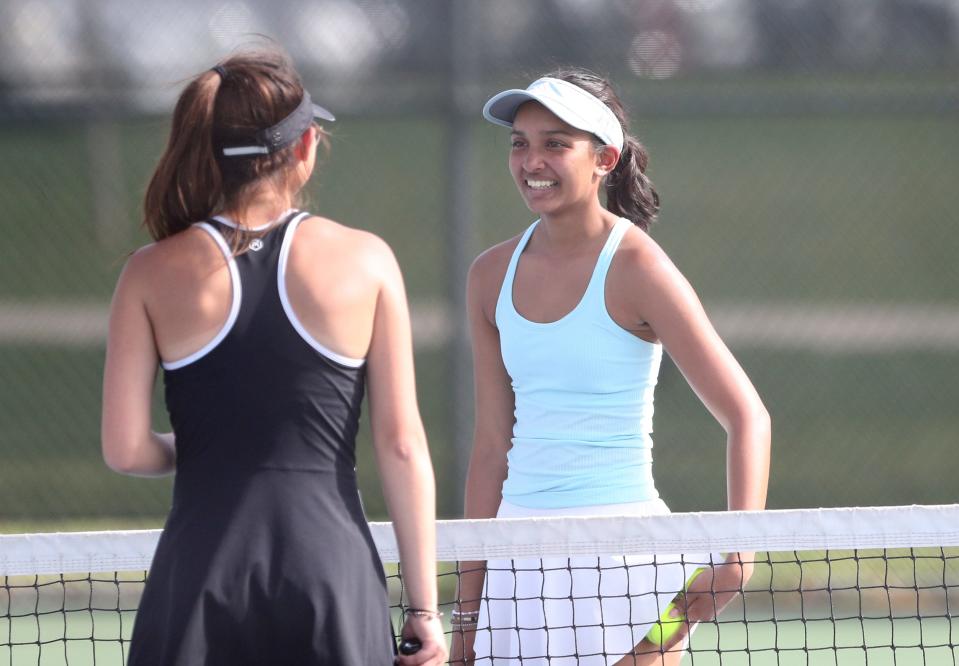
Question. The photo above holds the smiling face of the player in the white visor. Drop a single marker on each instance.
(555, 166)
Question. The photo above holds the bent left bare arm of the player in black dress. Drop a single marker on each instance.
(129, 445)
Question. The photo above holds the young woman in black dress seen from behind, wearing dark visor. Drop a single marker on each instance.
(270, 324)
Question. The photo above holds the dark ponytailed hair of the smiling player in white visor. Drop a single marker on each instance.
(629, 191)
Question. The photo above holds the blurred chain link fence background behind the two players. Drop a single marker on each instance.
(805, 152)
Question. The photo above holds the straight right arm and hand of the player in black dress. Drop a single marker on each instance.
(403, 457)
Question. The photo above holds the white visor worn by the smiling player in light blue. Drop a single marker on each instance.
(569, 102)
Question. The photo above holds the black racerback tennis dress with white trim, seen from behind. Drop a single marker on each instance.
(266, 557)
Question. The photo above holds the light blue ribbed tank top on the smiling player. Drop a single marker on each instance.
(583, 391)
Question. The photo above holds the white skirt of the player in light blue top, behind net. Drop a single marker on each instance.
(579, 611)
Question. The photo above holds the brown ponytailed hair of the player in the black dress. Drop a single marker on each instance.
(193, 180)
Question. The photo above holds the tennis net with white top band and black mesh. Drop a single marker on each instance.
(850, 586)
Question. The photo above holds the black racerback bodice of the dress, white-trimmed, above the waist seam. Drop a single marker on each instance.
(263, 393)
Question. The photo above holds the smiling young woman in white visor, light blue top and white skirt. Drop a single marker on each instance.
(569, 320)
